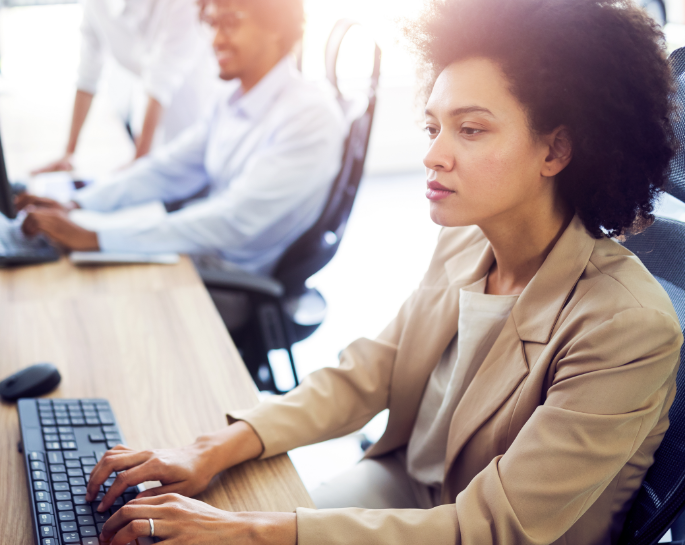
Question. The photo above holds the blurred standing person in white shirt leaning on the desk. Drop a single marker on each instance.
(161, 74)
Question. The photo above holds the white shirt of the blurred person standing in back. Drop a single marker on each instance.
(160, 41)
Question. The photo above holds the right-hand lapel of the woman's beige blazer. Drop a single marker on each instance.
(532, 319)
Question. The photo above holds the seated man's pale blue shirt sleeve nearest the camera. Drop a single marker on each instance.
(283, 183)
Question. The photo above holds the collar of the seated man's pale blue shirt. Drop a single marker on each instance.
(255, 103)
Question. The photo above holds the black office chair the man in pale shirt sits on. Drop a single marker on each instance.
(283, 309)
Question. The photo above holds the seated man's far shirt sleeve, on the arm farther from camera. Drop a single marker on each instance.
(173, 172)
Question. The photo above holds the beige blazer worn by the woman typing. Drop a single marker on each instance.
(554, 435)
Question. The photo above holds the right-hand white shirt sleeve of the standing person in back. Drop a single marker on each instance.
(174, 49)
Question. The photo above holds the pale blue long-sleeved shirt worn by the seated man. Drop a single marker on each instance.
(269, 158)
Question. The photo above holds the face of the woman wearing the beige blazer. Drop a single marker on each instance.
(484, 164)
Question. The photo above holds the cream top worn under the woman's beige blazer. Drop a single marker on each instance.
(481, 319)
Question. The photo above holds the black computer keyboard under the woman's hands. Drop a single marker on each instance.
(62, 440)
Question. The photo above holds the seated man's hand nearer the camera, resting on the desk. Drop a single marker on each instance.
(55, 223)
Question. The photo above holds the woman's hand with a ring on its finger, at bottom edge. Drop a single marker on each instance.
(180, 520)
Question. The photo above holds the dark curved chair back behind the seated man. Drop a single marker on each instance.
(316, 247)
